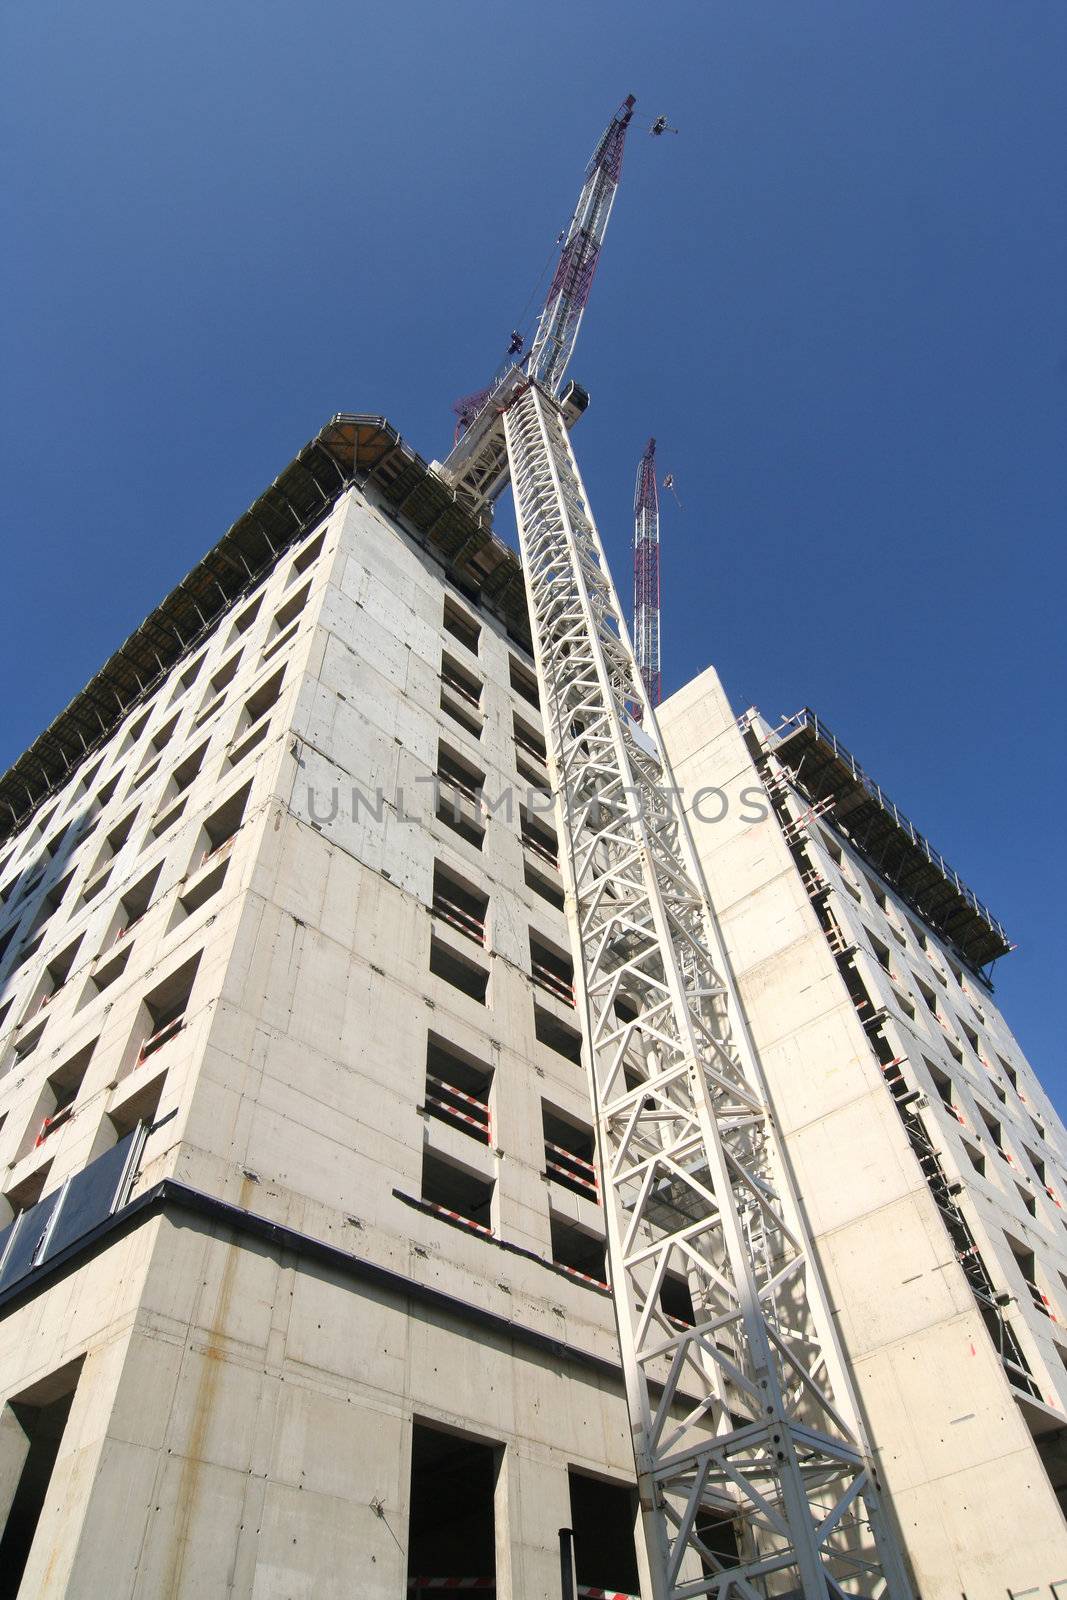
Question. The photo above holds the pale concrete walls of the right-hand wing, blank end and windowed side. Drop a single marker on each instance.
(852, 1012)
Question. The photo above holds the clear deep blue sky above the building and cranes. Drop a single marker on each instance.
(837, 298)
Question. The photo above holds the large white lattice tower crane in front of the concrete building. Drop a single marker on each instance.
(753, 1471)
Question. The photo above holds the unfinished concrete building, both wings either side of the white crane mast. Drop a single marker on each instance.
(302, 1286)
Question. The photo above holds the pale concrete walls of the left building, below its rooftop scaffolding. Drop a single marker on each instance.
(244, 1410)
